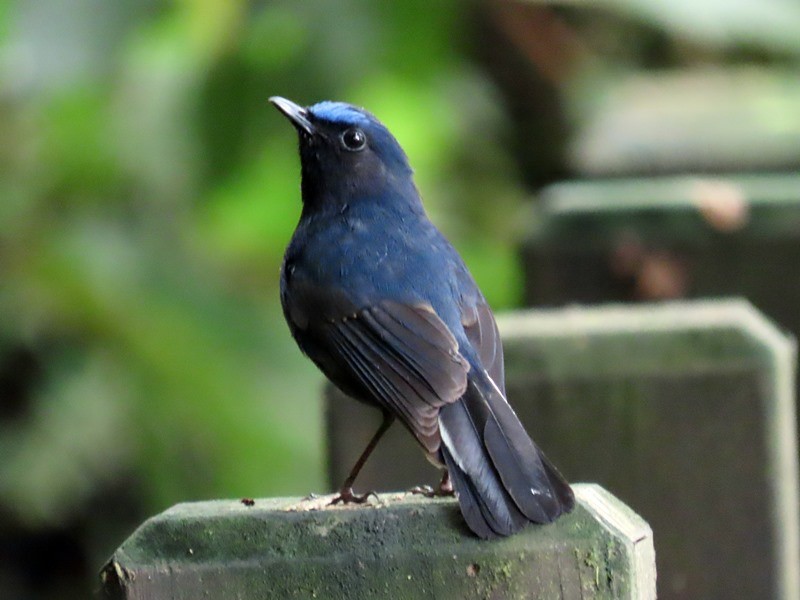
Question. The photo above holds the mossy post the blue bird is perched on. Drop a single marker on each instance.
(402, 547)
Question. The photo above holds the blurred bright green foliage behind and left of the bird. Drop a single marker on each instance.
(148, 191)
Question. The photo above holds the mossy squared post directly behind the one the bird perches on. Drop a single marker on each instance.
(684, 410)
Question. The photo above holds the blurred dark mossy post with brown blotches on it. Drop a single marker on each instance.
(672, 237)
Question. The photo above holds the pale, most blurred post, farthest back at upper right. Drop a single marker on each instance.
(701, 120)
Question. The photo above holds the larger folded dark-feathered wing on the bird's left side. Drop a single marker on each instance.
(408, 360)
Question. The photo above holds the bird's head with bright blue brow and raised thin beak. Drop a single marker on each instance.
(345, 152)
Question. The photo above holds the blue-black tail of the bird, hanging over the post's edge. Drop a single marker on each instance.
(503, 480)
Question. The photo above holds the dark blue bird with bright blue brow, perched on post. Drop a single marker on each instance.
(383, 304)
